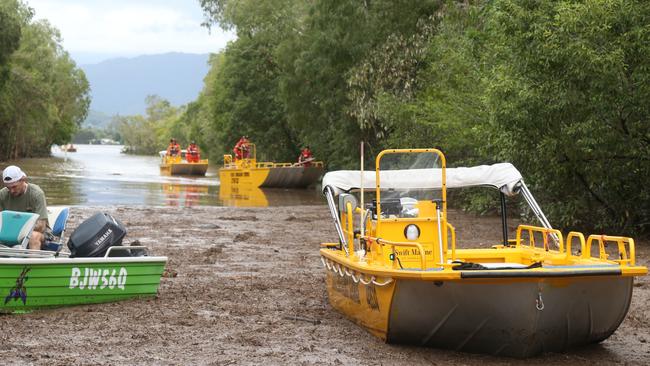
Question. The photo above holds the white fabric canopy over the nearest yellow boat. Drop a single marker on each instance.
(503, 176)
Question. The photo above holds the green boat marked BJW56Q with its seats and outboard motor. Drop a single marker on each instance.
(36, 279)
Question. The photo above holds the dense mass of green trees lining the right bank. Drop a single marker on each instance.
(559, 88)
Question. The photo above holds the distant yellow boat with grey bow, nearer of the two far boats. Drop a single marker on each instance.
(250, 173)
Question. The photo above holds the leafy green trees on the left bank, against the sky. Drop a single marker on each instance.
(43, 95)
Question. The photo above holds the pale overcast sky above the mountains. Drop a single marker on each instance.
(95, 30)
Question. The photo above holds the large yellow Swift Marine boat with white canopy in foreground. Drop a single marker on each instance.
(401, 276)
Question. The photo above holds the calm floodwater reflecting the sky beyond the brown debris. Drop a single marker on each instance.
(100, 175)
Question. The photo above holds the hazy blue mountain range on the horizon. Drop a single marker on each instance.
(120, 85)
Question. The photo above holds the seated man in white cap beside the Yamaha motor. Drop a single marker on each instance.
(18, 195)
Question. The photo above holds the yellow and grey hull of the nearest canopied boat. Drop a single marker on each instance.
(515, 317)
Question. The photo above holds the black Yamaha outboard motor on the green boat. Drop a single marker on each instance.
(93, 237)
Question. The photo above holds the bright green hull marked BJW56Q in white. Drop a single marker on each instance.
(28, 284)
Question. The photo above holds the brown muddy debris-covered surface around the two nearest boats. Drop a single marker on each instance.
(250, 290)
